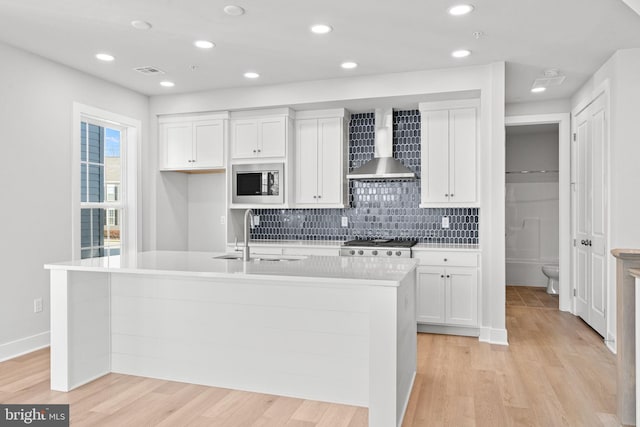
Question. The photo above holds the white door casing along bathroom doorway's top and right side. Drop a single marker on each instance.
(565, 236)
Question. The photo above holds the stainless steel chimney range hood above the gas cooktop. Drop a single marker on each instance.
(383, 165)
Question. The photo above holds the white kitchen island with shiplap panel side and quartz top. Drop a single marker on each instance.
(333, 329)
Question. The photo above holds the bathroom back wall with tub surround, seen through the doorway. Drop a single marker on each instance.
(532, 205)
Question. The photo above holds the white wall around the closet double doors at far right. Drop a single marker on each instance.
(621, 71)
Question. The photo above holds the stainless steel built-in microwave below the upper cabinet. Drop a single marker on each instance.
(258, 183)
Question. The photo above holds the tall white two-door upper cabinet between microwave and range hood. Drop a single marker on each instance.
(320, 159)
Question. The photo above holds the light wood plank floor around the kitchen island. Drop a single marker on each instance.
(556, 372)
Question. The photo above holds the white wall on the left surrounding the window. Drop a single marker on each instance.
(36, 105)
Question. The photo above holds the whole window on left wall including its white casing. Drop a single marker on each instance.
(105, 183)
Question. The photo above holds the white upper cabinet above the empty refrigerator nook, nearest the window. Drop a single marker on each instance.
(192, 143)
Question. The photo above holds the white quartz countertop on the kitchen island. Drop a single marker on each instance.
(347, 270)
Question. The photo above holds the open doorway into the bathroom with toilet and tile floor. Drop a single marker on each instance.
(532, 216)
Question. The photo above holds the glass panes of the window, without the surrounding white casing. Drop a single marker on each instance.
(101, 164)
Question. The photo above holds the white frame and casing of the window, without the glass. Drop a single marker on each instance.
(130, 146)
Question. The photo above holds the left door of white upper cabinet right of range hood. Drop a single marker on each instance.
(435, 156)
